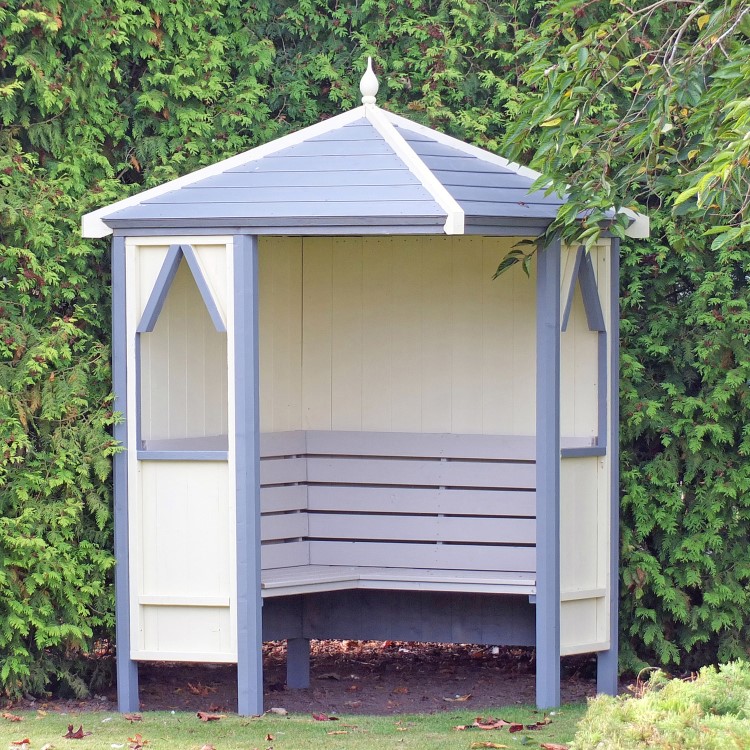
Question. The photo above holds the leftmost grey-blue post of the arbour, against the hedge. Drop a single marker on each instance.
(127, 669)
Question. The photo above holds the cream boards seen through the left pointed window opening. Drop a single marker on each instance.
(184, 375)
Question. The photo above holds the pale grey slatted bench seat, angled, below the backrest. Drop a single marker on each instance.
(308, 579)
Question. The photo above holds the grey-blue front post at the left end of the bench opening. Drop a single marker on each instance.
(247, 441)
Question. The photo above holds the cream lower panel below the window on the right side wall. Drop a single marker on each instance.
(579, 523)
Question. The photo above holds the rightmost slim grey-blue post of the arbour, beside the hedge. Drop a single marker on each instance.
(607, 672)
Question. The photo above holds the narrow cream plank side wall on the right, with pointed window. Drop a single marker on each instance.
(585, 486)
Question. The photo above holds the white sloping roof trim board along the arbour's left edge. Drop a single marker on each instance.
(92, 224)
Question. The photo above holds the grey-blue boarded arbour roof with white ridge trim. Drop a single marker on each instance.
(364, 171)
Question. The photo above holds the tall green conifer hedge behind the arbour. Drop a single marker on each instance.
(100, 99)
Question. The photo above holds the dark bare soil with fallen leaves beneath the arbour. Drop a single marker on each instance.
(355, 677)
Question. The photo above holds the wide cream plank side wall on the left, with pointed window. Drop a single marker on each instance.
(181, 529)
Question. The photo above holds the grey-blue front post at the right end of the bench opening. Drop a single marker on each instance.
(548, 475)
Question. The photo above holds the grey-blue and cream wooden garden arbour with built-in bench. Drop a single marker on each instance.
(323, 385)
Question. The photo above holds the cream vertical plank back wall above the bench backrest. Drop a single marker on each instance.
(396, 334)
